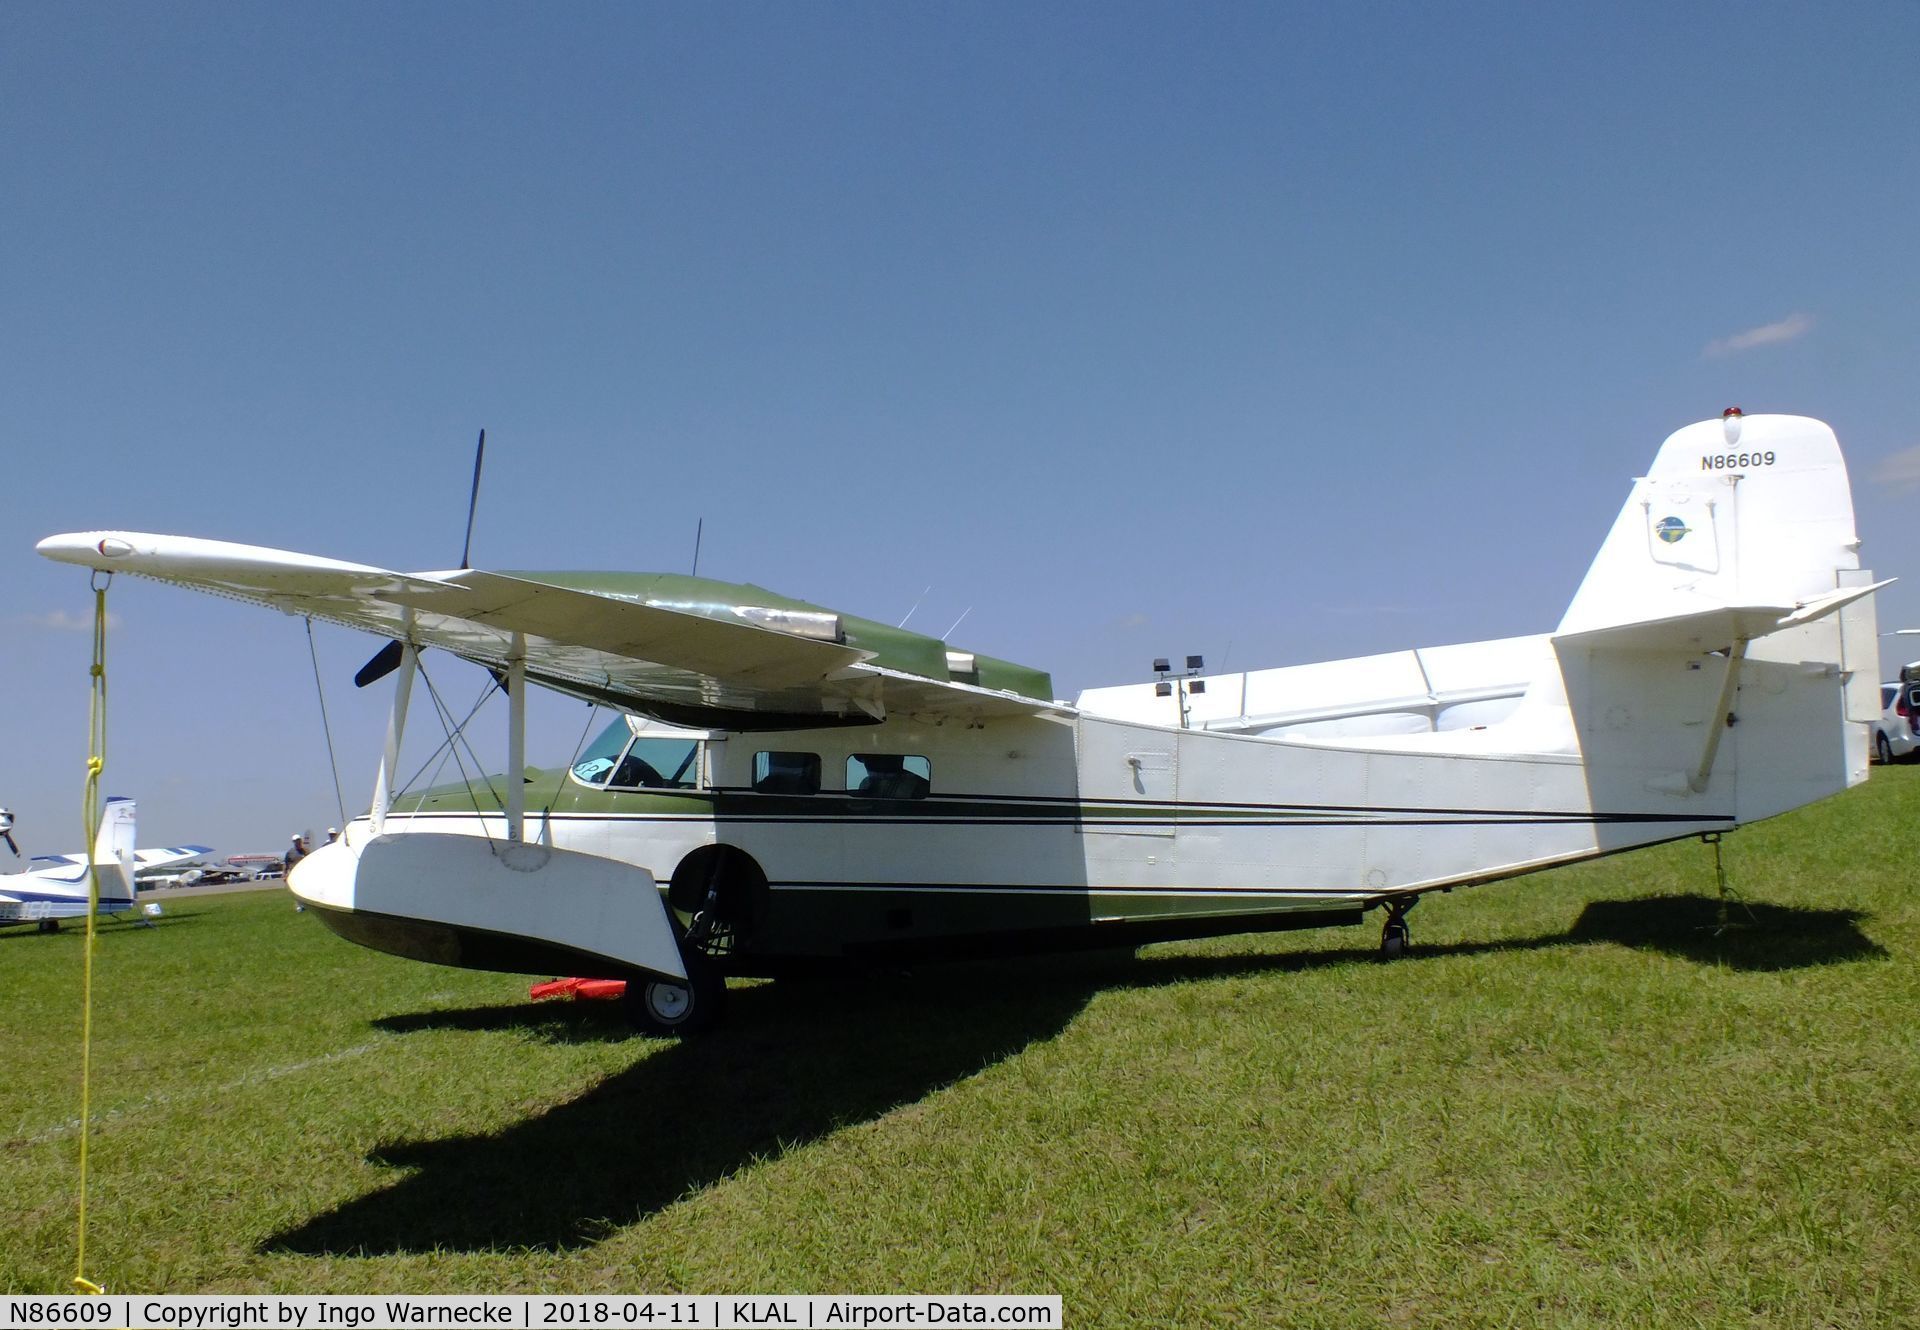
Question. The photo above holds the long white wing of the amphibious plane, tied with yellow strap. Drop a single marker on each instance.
(692, 665)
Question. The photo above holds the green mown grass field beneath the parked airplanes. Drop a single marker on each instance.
(1575, 1104)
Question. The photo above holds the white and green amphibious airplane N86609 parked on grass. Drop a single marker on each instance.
(830, 790)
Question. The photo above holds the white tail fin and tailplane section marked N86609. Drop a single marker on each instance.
(1721, 650)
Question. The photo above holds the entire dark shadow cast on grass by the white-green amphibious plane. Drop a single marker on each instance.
(802, 1060)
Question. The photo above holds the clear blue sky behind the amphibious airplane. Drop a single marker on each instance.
(1272, 333)
